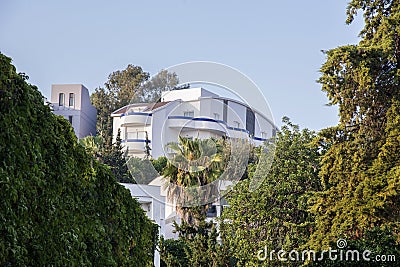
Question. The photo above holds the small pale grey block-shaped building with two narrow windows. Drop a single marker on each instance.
(72, 101)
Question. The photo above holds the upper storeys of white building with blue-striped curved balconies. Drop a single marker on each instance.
(193, 113)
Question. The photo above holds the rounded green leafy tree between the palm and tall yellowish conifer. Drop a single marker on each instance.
(275, 215)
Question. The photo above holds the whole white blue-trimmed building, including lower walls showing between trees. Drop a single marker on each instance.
(192, 113)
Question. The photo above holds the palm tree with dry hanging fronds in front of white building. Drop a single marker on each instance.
(196, 164)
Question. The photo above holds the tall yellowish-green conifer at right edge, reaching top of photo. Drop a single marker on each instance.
(359, 172)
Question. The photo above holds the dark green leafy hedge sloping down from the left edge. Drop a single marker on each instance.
(58, 205)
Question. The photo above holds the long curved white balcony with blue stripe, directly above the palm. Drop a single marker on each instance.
(189, 123)
